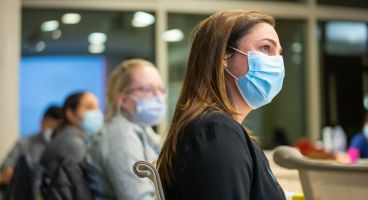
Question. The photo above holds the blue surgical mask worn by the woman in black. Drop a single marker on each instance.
(264, 78)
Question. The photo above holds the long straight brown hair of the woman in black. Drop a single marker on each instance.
(205, 87)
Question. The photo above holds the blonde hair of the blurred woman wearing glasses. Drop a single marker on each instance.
(119, 81)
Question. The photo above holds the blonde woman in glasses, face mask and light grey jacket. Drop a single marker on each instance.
(136, 101)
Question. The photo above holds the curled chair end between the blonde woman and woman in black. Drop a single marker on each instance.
(144, 169)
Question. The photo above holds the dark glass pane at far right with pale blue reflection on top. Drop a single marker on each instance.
(344, 74)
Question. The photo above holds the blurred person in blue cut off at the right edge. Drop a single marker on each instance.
(358, 147)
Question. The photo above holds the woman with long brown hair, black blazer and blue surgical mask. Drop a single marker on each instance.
(234, 67)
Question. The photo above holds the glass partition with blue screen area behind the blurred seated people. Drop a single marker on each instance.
(77, 49)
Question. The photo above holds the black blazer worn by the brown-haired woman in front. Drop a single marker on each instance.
(216, 160)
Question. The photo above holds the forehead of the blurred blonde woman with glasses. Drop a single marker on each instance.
(146, 75)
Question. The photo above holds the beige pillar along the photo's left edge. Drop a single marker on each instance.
(10, 15)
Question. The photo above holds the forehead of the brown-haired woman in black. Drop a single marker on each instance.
(259, 33)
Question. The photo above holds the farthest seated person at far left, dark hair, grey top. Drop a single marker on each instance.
(34, 145)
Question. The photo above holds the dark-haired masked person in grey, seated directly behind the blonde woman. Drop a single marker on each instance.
(82, 117)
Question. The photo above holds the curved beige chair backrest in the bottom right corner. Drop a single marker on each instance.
(326, 180)
